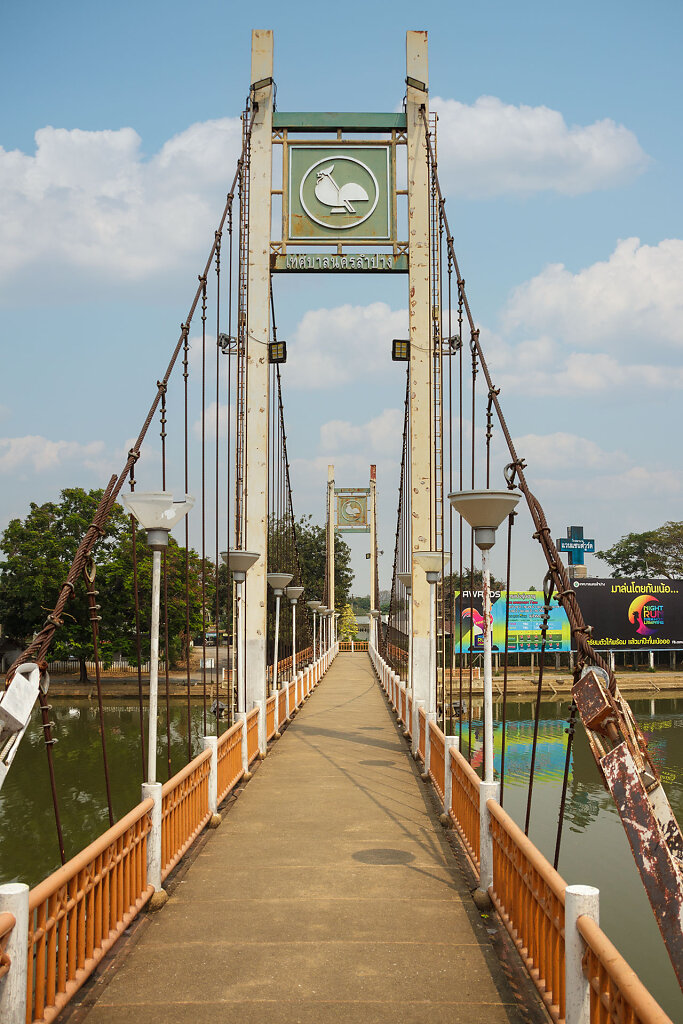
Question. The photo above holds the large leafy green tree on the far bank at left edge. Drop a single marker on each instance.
(39, 551)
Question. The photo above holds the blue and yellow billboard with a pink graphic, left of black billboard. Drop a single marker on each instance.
(527, 610)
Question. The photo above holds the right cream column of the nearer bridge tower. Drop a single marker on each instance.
(420, 326)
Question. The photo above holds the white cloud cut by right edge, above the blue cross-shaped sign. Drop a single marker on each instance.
(634, 296)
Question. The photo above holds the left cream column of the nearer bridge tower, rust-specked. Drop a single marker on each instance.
(259, 319)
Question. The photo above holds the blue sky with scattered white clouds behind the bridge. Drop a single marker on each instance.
(107, 215)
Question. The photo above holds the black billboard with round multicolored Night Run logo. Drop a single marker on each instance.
(633, 615)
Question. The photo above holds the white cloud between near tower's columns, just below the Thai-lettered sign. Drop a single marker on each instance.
(335, 347)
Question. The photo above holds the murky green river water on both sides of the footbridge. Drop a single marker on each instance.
(594, 848)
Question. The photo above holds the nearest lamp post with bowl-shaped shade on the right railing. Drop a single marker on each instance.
(485, 511)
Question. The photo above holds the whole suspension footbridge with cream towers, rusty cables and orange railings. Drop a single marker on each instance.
(322, 848)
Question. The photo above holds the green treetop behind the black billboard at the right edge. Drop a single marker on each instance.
(655, 553)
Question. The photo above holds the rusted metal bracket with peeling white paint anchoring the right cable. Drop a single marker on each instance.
(621, 754)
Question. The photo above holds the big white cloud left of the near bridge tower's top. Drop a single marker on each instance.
(91, 201)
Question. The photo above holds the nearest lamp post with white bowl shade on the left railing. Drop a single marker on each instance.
(157, 513)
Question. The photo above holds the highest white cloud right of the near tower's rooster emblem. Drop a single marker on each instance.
(495, 149)
